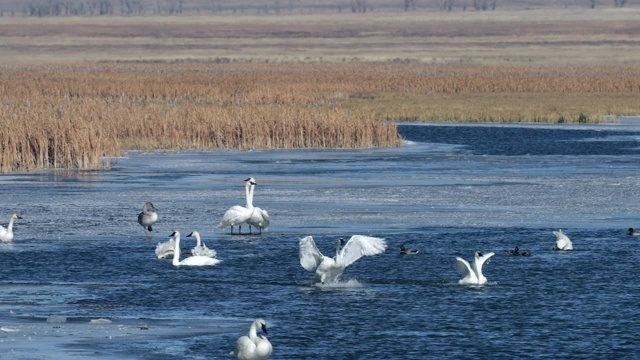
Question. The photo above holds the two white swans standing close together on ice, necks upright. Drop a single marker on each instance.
(249, 214)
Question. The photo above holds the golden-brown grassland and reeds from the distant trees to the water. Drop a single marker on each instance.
(76, 89)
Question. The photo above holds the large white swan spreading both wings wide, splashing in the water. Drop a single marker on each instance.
(329, 269)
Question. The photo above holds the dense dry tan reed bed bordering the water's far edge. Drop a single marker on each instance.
(73, 116)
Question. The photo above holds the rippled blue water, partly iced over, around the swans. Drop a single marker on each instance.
(79, 255)
